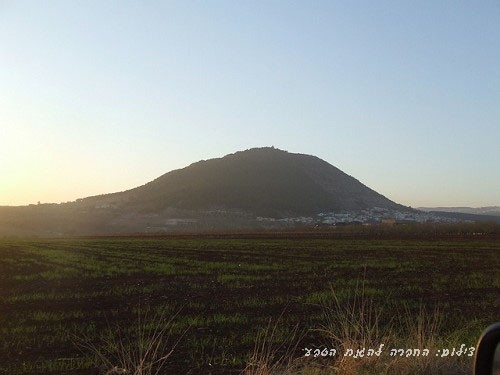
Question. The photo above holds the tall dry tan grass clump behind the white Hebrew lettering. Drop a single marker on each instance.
(357, 324)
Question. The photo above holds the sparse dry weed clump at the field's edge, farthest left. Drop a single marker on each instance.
(142, 350)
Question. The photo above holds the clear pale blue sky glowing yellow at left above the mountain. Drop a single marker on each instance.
(103, 96)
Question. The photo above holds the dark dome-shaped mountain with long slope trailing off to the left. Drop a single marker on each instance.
(234, 190)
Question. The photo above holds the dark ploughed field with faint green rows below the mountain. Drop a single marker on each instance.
(227, 291)
